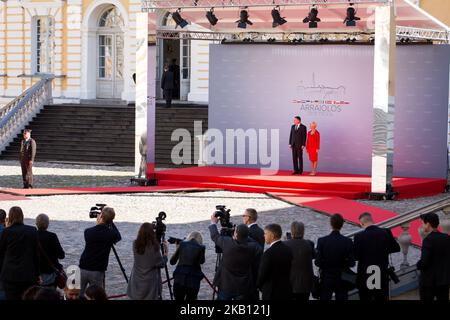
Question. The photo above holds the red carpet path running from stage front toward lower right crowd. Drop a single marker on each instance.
(350, 210)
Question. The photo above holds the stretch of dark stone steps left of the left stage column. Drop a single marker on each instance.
(80, 133)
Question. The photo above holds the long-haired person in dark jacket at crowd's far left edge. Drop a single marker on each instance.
(19, 256)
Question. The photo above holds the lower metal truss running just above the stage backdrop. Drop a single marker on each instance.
(402, 32)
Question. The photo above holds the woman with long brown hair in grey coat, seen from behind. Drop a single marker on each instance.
(145, 280)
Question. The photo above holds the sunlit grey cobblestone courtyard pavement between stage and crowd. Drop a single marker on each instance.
(186, 212)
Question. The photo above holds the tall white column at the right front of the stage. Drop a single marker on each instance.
(383, 99)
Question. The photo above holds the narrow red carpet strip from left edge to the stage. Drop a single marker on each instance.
(101, 190)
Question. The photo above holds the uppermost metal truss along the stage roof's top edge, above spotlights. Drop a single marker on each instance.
(148, 5)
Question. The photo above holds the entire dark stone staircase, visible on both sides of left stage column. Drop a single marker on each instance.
(103, 134)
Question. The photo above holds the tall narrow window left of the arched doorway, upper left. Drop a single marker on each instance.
(43, 44)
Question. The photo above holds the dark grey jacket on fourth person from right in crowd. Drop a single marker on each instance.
(301, 268)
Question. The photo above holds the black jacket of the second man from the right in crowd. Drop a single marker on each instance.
(373, 247)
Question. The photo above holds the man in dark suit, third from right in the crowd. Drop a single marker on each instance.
(334, 255)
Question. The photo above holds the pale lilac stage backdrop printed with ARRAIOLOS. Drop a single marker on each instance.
(265, 86)
